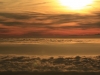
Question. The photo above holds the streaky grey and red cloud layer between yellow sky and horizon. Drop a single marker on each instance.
(37, 24)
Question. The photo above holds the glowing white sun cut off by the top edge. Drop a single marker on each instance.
(76, 4)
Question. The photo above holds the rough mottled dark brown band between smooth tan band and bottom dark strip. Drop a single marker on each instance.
(19, 63)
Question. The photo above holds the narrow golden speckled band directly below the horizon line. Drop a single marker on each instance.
(48, 40)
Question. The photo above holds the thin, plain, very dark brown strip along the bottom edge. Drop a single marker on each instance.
(49, 73)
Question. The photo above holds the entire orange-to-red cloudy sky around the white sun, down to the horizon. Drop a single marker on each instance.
(43, 18)
